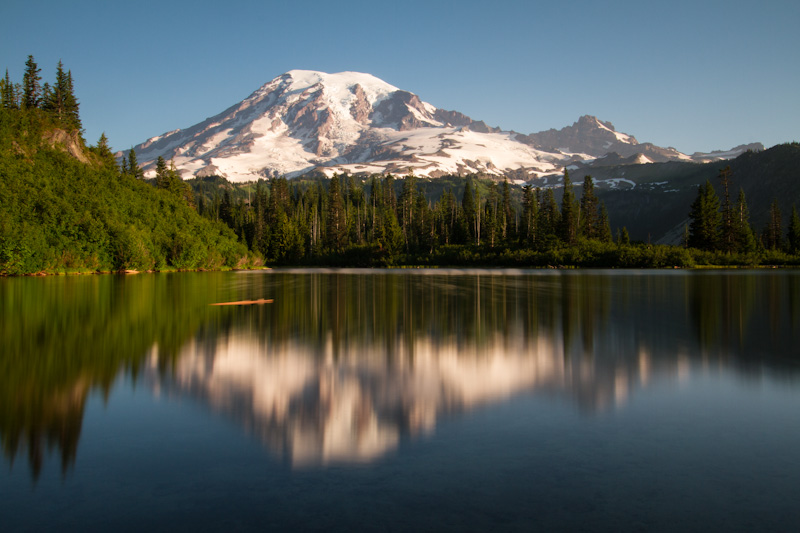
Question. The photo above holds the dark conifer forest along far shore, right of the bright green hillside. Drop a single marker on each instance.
(384, 220)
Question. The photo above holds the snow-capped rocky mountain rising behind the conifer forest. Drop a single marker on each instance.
(356, 123)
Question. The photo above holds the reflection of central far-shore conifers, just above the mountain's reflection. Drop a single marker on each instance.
(393, 309)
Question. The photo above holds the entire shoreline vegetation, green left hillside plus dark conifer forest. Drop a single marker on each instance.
(68, 207)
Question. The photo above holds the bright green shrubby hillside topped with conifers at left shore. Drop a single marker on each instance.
(67, 207)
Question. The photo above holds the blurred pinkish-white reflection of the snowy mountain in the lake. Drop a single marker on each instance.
(316, 408)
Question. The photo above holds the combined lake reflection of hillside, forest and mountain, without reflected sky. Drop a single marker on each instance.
(343, 365)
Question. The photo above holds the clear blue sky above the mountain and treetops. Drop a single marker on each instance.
(697, 75)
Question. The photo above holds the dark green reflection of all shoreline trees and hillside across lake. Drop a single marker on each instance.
(65, 337)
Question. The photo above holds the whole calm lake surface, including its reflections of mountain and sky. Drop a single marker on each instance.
(402, 400)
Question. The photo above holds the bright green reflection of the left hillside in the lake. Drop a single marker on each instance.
(64, 337)
